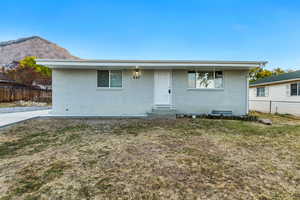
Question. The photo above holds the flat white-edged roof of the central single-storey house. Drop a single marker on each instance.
(148, 64)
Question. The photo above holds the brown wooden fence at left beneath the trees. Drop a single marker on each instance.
(10, 94)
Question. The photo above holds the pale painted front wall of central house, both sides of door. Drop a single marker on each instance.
(75, 92)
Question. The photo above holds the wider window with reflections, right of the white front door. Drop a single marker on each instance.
(205, 79)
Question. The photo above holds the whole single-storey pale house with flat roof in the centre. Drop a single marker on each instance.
(139, 87)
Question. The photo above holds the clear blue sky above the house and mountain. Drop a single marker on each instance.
(162, 29)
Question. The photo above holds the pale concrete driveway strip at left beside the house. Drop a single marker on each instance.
(7, 119)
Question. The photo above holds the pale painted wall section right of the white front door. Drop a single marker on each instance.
(232, 97)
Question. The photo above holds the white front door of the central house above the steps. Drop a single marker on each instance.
(162, 87)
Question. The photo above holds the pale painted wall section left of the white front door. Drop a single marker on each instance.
(75, 92)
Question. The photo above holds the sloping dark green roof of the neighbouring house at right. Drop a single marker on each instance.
(278, 79)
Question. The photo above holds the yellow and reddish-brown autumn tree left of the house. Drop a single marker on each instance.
(28, 71)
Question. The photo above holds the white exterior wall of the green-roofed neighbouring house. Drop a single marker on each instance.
(275, 93)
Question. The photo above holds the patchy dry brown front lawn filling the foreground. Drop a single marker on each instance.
(150, 159)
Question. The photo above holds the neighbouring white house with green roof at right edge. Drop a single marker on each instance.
(276, 94)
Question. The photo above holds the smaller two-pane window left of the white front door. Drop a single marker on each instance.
(109, 78)
